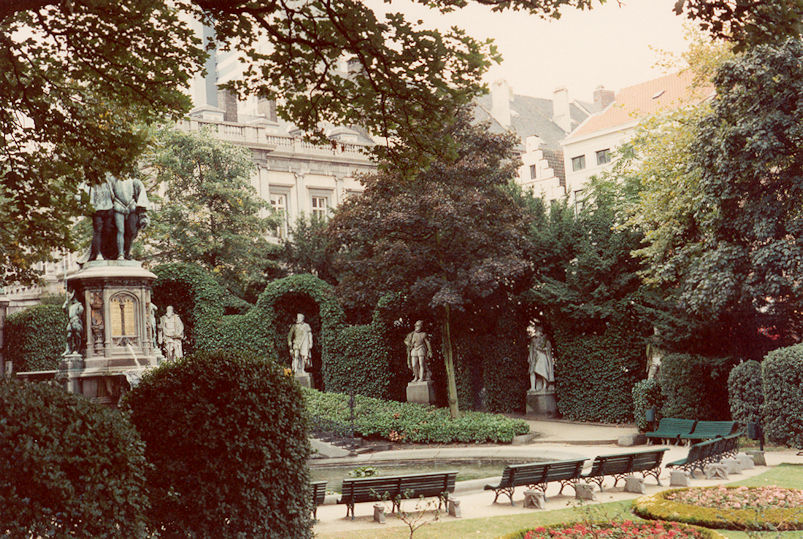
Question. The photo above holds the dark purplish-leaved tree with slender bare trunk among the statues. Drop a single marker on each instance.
(449, 239)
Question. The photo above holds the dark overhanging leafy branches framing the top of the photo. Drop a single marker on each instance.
(80, 73)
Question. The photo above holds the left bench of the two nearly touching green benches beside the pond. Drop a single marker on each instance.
(537, 475)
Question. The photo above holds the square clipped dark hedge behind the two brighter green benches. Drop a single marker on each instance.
(695, 387)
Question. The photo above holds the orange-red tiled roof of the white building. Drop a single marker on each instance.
(662, 94)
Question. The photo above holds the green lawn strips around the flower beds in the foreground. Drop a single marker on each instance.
(785, 475)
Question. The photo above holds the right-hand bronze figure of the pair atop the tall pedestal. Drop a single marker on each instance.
(130, 212)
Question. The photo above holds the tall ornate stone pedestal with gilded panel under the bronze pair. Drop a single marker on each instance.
(117, 334)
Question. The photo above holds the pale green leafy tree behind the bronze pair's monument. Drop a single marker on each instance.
(210, 213)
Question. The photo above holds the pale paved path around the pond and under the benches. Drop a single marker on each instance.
(558, 440)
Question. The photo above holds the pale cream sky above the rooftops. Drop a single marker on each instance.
(608, 45)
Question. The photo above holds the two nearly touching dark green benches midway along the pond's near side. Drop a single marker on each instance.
(538, 475)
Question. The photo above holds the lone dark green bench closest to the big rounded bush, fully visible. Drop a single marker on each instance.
(395, 488)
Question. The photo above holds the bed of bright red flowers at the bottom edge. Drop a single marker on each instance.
(616, 530)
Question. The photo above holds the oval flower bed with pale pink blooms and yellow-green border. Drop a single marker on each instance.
(735, 508)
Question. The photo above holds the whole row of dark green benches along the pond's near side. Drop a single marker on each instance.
(536, 475)
